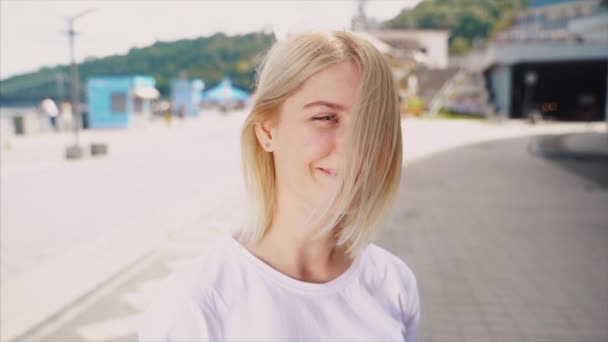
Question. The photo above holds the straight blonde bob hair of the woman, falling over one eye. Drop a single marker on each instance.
(370, 168)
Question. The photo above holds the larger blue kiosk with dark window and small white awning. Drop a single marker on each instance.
(120, 102)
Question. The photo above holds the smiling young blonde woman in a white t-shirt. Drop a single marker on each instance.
(321, 153)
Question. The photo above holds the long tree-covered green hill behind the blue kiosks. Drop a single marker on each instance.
(209, 58)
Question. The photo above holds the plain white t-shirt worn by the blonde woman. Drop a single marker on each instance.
(228, 294)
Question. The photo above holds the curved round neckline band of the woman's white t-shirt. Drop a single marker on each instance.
(288, 282)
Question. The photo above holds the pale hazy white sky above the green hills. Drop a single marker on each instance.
(32, 33)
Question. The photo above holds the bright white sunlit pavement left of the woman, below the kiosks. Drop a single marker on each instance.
(68, 226)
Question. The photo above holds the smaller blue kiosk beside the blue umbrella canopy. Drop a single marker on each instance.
(186, 96)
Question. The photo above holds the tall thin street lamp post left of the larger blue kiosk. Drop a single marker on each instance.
(75, 152)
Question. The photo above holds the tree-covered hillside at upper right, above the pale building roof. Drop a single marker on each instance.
(469, 21)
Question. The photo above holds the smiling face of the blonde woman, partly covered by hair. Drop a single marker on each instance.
(306, 139)
